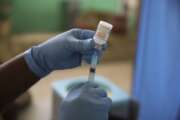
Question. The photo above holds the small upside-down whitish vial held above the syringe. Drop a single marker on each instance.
(102, 33)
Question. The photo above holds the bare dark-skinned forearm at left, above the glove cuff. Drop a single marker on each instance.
(15, 78)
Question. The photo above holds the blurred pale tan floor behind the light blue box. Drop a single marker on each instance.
(119, 73)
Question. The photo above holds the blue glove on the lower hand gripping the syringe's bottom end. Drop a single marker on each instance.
(88, 102)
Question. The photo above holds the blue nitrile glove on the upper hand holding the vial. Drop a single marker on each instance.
(63, 51)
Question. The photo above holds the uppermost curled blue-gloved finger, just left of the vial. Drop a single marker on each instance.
(82, 33)
